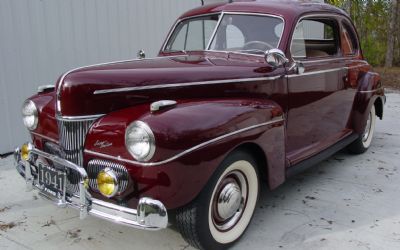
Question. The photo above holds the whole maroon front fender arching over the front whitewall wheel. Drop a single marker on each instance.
(211, 129)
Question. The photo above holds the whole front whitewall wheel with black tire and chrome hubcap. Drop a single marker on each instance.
(223, 210)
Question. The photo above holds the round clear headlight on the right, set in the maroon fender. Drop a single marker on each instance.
(140, 142)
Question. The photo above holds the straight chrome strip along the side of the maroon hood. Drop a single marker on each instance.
(173, 85)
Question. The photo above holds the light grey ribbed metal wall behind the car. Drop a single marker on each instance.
(40, 39)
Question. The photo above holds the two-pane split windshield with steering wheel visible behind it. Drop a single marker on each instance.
(244, 33)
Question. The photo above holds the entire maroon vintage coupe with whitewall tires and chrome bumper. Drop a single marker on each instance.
(240, 93)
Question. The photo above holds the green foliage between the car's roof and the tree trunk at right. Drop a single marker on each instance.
(371, 18)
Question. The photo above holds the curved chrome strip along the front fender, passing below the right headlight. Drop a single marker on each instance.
(273, 121)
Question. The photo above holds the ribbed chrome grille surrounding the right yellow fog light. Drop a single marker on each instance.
(95, 166)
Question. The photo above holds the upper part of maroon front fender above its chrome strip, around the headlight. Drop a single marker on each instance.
(189, 124)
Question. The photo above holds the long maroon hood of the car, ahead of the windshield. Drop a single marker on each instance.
(100, 89)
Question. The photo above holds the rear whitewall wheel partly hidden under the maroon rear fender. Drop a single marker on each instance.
(362, 144)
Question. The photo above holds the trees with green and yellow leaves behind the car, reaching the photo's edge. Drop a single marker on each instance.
(373, 19)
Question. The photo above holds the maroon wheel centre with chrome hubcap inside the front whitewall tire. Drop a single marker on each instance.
(229, 201)
